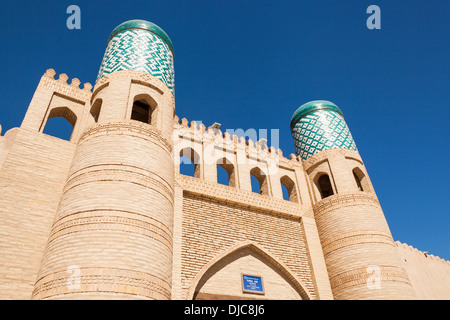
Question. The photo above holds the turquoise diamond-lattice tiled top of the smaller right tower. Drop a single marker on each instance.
(319, 125)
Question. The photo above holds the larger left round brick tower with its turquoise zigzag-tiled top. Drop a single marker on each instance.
(112, 236)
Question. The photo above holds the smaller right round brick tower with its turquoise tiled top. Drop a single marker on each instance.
(360, 254)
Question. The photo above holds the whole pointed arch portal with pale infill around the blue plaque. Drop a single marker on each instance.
(221, 278)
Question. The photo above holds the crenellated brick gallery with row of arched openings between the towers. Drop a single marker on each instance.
(241, 157)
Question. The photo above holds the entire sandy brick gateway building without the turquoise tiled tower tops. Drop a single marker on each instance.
(112, 203)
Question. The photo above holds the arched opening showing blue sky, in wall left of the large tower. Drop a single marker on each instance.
(60, 123)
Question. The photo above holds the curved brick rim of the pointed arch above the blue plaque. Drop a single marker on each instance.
(250, 246)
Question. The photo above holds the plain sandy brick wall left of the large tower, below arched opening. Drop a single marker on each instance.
(31, 180)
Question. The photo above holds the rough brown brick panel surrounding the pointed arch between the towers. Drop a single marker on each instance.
(210, 228)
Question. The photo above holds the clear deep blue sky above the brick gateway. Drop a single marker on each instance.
(251, 64)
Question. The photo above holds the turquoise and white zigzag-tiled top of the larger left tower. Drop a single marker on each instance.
(143, 46)
